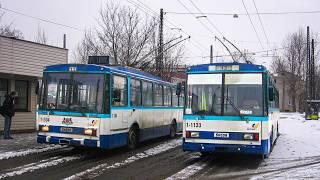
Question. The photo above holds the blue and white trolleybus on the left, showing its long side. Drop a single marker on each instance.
(105, 106)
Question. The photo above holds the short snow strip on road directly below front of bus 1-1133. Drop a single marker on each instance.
(189, 171)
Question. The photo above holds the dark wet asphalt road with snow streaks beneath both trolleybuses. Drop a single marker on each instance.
(157, 159)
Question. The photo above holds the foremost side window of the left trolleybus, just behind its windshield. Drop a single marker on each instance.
(119, 91)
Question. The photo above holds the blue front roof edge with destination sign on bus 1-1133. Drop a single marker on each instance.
(226, 67)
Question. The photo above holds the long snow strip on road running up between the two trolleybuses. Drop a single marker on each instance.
(98, 170)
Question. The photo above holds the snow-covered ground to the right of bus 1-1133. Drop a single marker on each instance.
(296, 154)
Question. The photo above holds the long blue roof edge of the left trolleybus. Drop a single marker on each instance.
(93, 68)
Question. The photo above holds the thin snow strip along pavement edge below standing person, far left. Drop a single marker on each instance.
(12, 154)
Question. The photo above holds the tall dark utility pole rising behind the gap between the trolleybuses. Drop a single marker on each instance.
(159, 59)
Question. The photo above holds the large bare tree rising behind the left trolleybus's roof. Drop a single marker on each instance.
(125, 35)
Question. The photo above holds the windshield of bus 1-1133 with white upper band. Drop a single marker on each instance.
(242, 94)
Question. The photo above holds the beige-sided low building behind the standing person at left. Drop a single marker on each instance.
(21, 65)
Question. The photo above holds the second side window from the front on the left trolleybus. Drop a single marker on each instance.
(135, 92)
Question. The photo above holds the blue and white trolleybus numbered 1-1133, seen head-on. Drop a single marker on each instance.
(230, 107)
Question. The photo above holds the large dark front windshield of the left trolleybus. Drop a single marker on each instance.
(73, 92)
